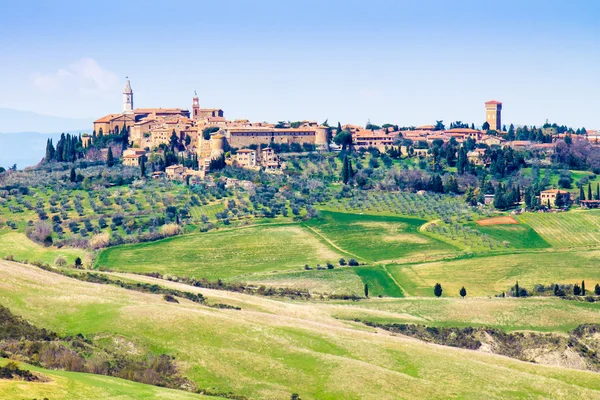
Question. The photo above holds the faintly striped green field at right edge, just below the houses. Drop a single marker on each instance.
(575, 228)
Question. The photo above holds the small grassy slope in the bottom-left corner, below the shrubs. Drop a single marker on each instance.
(62, 385)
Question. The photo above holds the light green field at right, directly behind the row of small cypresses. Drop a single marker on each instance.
(487, 276)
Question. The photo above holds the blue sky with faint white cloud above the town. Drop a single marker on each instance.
(404, 62)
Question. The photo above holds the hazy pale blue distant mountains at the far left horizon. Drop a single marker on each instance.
(23, 135)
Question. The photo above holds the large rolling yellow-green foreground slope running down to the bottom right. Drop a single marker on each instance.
(288, 347)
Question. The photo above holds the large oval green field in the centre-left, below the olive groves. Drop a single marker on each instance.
(223, 254)
